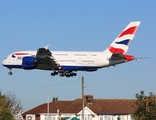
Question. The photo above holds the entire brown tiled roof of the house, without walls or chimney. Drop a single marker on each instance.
(98, 106)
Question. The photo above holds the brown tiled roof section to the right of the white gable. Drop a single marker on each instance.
(114, 106)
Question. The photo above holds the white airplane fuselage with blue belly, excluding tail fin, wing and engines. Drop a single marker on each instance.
(68, 60)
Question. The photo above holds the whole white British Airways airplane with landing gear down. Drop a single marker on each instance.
(67, 63)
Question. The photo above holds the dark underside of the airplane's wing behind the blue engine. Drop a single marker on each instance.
(45, 60)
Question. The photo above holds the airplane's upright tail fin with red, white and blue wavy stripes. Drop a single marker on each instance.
(122, 42)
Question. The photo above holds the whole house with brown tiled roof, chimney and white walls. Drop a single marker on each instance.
(94, 109)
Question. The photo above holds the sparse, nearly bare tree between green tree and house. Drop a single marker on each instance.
(14, 104)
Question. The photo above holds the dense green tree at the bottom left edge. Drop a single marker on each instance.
(5, 113)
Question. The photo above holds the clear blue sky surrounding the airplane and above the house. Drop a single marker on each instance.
(76, 25)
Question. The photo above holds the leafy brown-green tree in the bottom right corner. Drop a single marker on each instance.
(144, 107)
